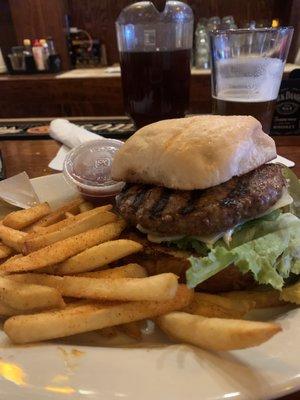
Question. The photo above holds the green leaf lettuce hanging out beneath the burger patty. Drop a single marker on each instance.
(268, 247)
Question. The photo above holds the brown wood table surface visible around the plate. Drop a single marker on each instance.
(33, 156)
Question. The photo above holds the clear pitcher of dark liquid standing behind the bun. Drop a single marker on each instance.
(155, 51)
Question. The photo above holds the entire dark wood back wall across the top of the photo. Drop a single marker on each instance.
(37, 18)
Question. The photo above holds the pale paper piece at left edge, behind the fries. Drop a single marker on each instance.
(18, 191)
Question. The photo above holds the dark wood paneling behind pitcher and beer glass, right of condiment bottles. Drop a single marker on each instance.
(99, 16)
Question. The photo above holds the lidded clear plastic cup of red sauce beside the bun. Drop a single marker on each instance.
(88, 167)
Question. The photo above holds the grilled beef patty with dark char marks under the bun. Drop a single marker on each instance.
(202, 212)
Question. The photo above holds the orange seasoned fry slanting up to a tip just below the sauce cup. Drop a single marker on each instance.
(75, 227)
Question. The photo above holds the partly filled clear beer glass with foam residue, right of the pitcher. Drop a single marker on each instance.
(247, 67)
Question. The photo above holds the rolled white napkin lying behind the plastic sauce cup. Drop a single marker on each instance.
(70, 135)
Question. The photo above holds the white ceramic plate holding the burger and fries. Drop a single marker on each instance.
(83, 368)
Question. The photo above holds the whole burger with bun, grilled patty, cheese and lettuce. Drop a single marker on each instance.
(208, 204)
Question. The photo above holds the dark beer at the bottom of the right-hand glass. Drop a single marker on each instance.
(262, 110)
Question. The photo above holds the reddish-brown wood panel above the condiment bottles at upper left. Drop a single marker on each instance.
(39, 19)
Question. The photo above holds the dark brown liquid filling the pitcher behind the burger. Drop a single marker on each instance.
(155, 85)
